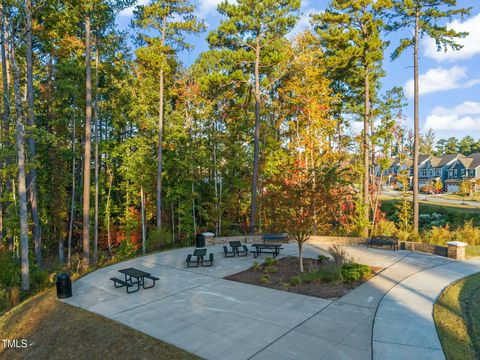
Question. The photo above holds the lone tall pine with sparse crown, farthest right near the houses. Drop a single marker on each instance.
(422, 18)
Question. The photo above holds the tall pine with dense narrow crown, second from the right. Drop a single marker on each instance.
(350, 33)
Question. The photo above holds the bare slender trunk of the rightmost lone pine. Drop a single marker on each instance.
(416, 141)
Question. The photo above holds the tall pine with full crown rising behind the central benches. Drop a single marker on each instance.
(254, 29)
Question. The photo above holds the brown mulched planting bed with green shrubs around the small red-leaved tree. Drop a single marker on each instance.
(285, 275)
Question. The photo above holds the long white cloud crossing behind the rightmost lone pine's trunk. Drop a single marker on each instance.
(441, 79)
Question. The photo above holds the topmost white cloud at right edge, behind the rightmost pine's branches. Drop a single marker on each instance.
(471, 43)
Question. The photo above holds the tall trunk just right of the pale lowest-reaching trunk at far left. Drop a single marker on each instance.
(37, 233)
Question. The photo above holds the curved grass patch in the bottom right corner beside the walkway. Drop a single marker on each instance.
(457, 317)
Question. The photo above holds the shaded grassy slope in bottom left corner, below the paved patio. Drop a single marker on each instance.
(61, 331)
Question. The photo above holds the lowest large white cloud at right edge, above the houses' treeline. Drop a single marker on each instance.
(464, 117)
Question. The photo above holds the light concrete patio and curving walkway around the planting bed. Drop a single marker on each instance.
(389, 317)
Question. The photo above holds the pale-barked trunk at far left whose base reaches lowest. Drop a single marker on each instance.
(22, 187)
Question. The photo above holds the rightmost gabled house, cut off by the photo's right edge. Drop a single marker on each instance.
(463, 168)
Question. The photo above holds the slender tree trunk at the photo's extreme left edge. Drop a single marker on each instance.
(6, 114)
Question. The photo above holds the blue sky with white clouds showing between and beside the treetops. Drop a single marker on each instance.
(449, 81)
